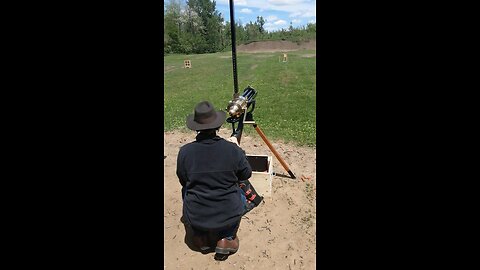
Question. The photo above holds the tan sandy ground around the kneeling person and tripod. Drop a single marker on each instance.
(278, 234)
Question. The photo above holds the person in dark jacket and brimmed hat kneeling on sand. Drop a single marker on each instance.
(209, 170)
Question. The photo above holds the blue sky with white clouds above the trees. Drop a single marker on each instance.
(277, 13)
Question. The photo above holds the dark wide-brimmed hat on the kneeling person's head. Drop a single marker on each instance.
(205, 117)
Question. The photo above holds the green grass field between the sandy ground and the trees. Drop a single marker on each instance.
(285, 104)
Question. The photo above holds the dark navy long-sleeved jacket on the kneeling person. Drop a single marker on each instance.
(209, 170)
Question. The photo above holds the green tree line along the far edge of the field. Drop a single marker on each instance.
(196, 26)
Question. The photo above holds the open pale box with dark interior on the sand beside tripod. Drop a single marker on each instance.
(262, 172)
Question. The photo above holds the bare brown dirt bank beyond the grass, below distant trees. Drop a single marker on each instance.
(276, 46)
